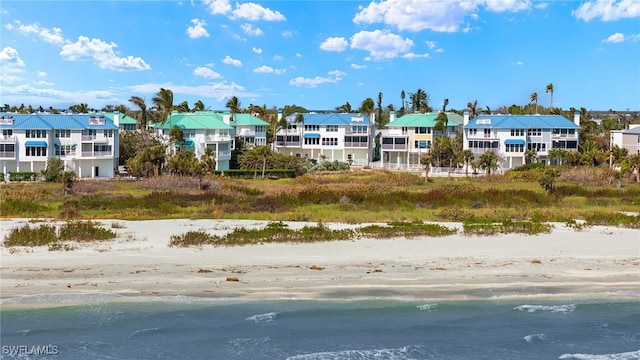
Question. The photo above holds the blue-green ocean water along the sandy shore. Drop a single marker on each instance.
(191, 328)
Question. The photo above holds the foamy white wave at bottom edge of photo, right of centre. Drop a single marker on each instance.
(402, 353)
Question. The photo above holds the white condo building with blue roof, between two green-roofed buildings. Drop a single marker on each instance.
(345, 137)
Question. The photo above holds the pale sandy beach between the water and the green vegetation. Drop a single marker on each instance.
(594, 262)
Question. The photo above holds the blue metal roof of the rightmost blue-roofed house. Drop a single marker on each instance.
(521, 122)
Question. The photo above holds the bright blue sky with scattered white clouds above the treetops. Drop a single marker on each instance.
(321, 54)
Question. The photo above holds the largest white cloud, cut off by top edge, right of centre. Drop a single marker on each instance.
(436, 15)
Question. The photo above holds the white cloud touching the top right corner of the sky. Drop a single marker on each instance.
(607, 10)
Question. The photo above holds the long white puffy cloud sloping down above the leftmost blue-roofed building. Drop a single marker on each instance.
(102, 54)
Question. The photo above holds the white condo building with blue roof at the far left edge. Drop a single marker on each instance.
(86, 143)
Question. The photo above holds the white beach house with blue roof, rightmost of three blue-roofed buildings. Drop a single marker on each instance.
(510, 136)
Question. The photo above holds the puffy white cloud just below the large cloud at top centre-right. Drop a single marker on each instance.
(381, 44)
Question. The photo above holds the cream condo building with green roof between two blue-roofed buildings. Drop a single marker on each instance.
(410, 136)
